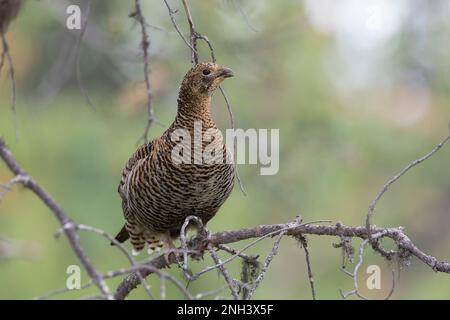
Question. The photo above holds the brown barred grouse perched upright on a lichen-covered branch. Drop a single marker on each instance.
(157, 193)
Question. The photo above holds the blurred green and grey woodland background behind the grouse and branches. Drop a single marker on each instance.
(357, 88)
